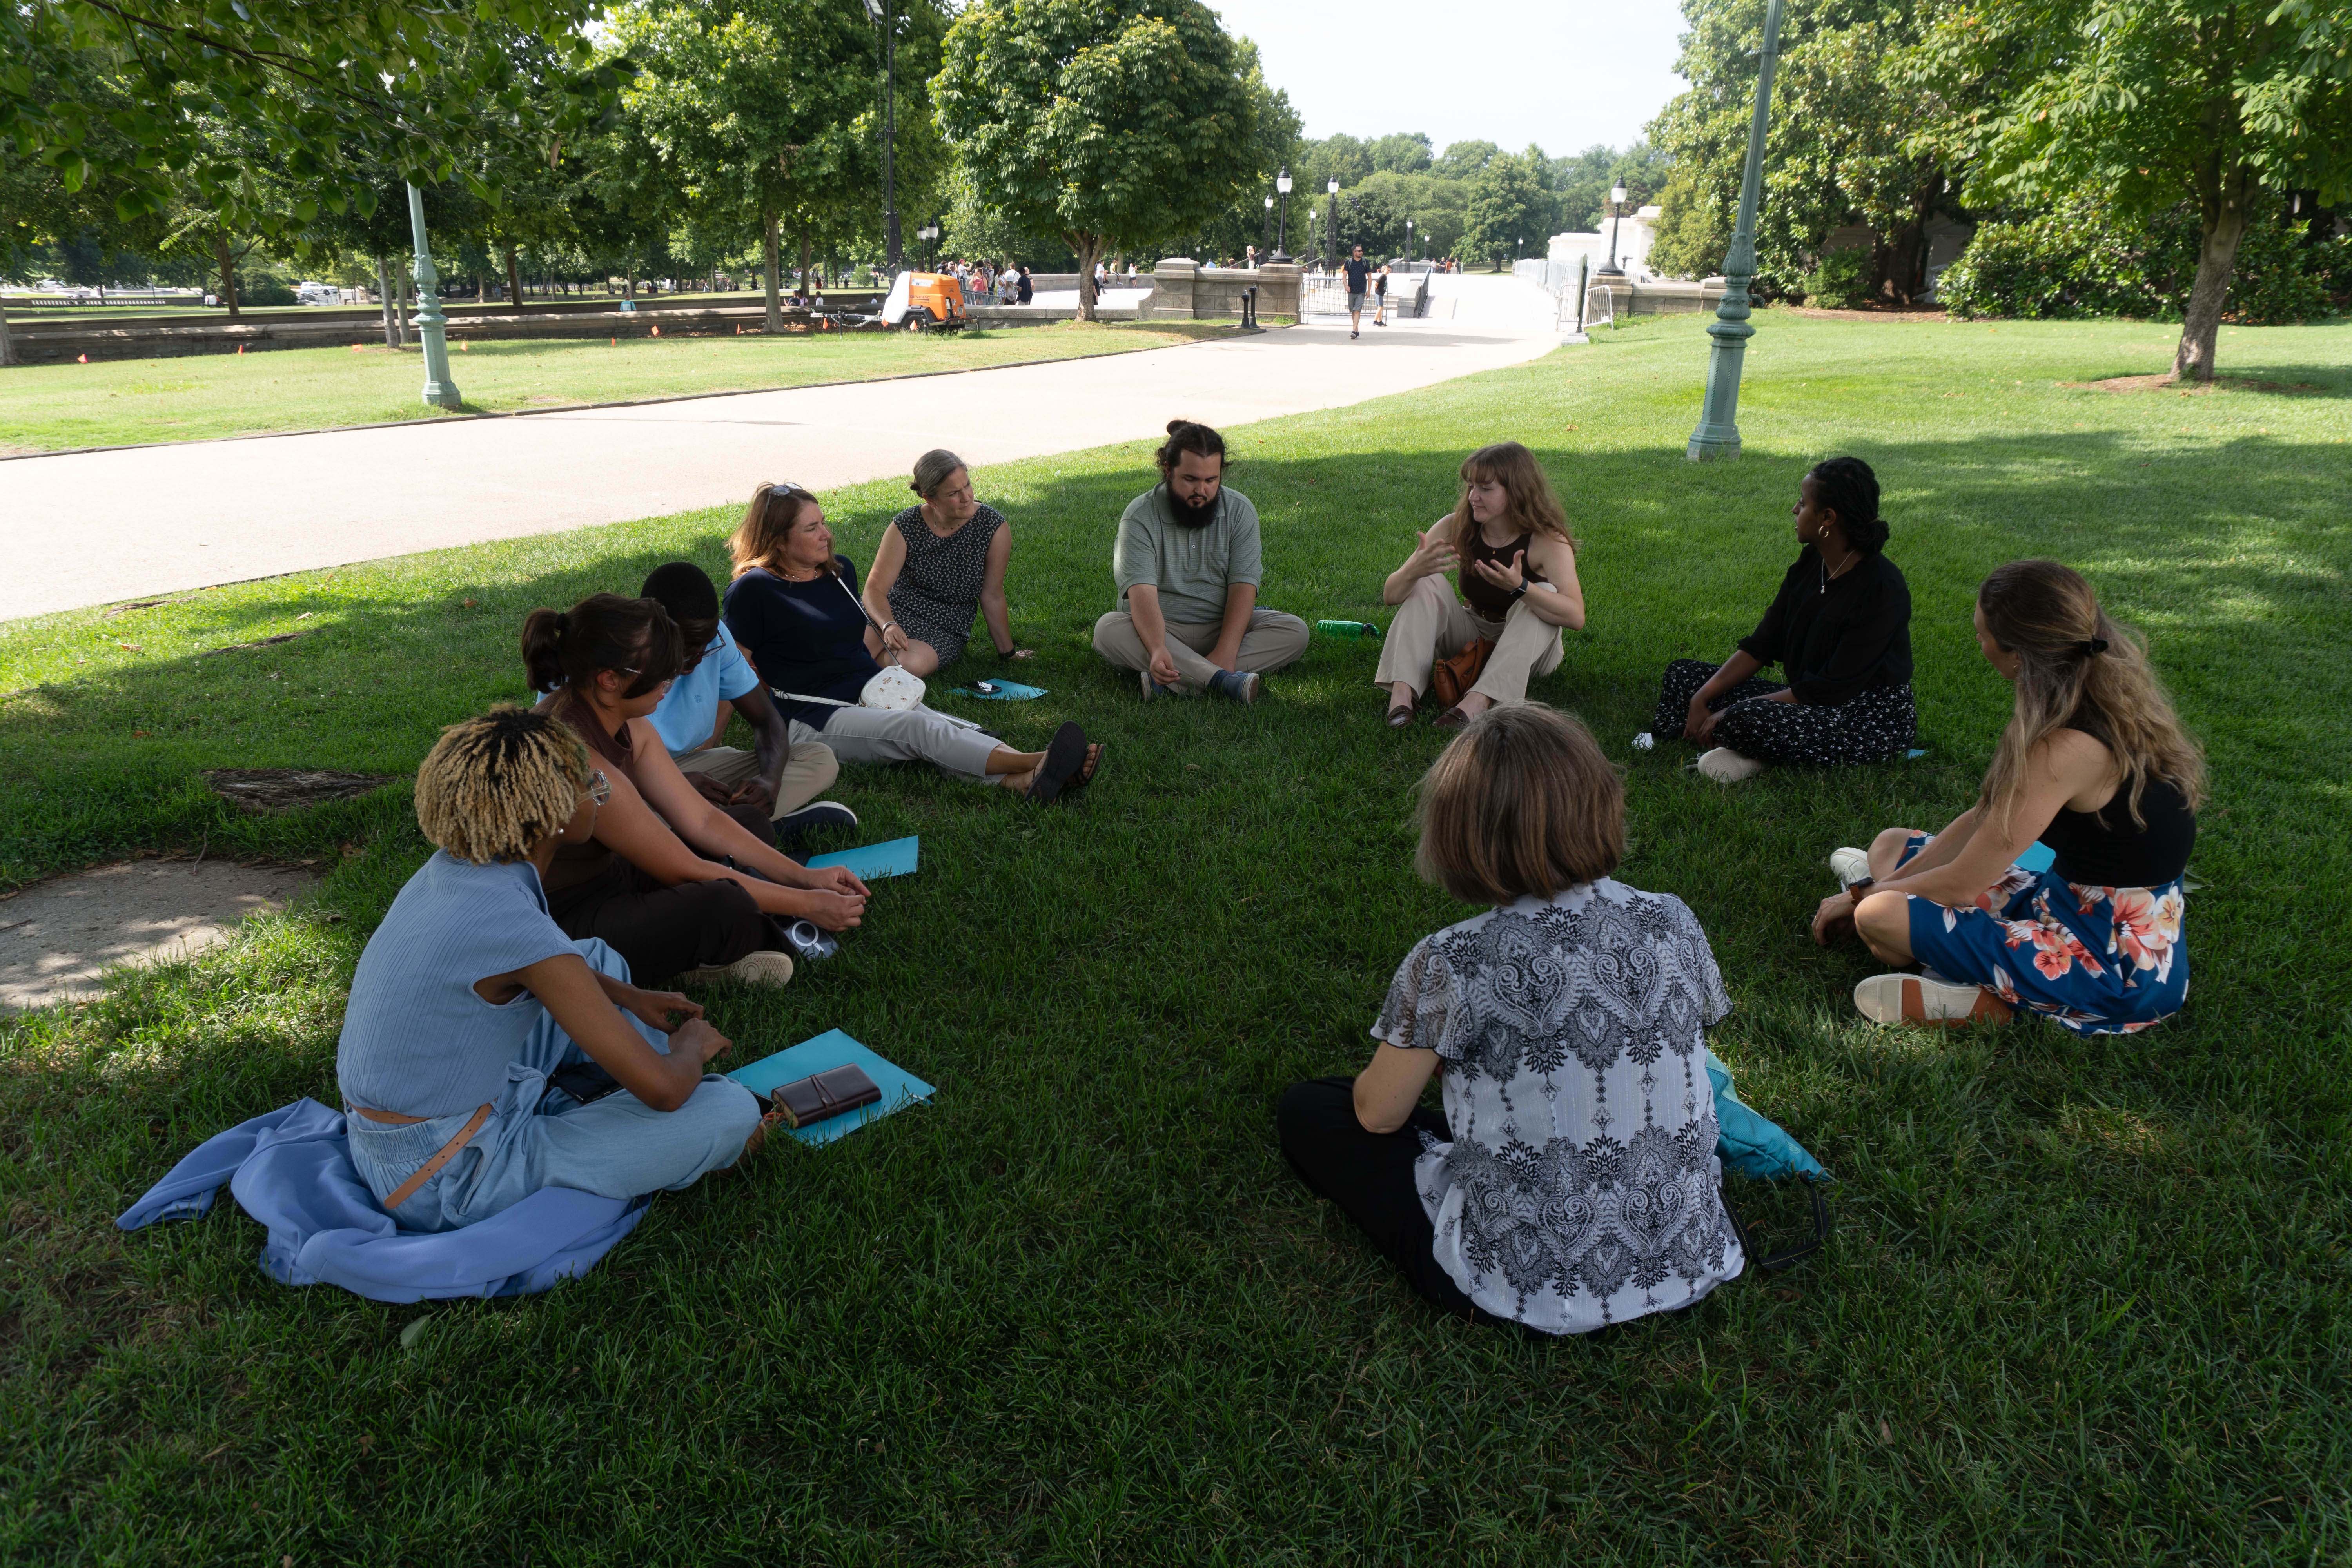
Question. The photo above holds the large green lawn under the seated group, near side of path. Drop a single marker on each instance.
(2087, 1299)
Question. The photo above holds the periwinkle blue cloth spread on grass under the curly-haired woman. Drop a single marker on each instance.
(293, 1172)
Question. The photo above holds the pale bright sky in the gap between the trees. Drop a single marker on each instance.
(1509, 72)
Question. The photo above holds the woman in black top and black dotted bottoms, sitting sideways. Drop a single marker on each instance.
(1840, 626)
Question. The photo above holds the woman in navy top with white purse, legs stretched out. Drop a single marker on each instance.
(796, 610)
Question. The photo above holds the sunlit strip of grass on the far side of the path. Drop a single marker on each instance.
(116, 403)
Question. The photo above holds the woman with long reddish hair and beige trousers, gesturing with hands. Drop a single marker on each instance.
(1509, 544)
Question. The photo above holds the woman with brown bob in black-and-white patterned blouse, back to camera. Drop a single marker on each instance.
(1572, 1179)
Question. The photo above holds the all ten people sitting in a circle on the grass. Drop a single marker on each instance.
(608, 845)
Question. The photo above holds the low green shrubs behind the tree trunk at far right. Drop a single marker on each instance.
(2087, 262)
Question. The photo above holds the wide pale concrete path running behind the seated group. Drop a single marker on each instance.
(126, 525)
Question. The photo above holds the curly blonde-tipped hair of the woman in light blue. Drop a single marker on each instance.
(495, 786)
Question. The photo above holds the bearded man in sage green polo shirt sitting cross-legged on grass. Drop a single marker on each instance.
(1189, 582)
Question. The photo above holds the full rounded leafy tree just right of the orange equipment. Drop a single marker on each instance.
(1109, 123)
